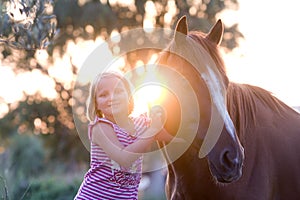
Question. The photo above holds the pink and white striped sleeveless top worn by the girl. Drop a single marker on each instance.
(106, 179)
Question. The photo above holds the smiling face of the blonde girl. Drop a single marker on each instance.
(111, 97)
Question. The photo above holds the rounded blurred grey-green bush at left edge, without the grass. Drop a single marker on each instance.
(23, 160)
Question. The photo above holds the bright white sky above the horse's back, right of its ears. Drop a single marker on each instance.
(269, 54)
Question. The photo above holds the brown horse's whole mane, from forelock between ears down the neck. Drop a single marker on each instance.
(241, 98)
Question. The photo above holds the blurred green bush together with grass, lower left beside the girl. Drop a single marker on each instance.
(25, 176)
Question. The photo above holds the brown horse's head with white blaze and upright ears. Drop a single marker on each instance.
(195, 57)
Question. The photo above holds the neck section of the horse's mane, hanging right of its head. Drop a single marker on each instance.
(242, 105)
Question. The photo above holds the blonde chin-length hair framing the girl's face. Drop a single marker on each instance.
(92, 111)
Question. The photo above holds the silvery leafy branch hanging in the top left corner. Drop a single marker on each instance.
(27, 24)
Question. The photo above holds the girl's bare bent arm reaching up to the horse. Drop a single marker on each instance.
(104, 135)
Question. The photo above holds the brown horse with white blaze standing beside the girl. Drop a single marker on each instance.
(268, 130)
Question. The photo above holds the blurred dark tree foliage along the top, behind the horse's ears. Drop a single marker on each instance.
(108, 17)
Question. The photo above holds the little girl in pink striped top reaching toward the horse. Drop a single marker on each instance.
(117, 141)
